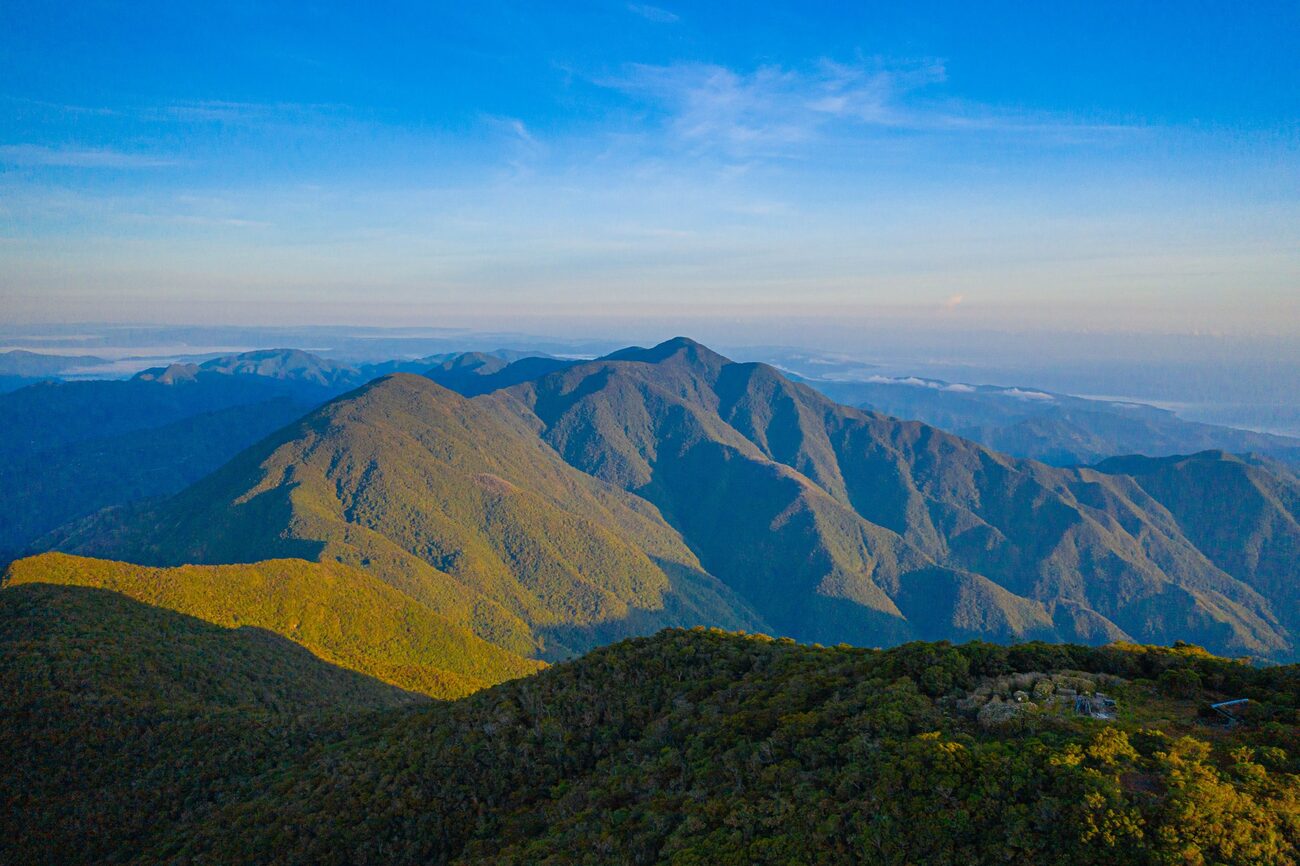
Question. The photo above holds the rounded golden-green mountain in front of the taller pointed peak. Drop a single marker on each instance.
(457, 504)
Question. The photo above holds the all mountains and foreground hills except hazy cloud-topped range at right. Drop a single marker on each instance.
(374, 617)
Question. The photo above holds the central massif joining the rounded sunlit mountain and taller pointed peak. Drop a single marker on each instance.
(670, 487)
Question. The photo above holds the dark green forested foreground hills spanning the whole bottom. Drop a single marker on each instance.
(692, 747)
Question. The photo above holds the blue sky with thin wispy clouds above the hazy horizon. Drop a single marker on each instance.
(1021, 166)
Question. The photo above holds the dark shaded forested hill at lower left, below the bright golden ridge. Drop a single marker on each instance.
(119, 717)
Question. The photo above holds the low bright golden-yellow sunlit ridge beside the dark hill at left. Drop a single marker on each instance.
(340, 614)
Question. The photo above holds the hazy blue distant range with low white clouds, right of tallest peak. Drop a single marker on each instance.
(1045, 426)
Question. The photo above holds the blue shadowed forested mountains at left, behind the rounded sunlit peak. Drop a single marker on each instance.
(70, 449)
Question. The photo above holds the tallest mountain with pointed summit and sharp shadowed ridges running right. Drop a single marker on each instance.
(839, 525)
